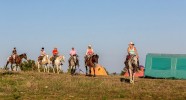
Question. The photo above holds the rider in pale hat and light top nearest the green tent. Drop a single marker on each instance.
(132, 51)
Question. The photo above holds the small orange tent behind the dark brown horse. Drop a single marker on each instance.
(99, 70)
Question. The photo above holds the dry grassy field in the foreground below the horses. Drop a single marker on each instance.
(44, 86)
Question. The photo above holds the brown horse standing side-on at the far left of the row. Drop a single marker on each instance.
(17, 61)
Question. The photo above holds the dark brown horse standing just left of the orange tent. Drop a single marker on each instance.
(91, 62)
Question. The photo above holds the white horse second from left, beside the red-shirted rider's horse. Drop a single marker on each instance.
(45, 61)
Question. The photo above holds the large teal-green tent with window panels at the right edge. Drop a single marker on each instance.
(165, 66)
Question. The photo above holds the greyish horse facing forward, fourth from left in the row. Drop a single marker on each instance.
(73, 62)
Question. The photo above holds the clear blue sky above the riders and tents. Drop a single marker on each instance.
(155, 26)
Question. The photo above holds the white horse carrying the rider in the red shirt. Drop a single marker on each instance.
(58, 63)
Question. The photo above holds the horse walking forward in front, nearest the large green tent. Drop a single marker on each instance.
(131, 64)
